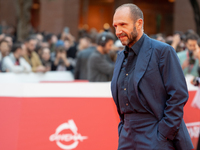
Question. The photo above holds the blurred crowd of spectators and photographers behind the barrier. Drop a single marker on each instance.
(42, 52)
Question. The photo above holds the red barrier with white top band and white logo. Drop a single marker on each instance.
(66, 116)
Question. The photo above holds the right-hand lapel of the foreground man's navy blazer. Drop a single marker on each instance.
(142, 62)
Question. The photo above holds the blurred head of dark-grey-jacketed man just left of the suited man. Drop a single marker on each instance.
(105, 40)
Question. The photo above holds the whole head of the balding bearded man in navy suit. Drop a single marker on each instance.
(128, 24)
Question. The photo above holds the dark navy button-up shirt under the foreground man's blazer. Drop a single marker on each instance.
(126, 91)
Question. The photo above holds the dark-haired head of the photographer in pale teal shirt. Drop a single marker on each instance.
(191, 41)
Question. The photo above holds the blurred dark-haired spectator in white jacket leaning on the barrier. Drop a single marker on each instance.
(15, 62)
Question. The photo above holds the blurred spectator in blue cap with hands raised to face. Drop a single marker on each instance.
(61, 62)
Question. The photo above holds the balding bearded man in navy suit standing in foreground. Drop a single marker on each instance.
(148, 87)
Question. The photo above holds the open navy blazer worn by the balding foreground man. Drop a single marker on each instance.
(158, 77)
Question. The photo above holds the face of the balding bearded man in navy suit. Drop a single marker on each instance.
(125, 29)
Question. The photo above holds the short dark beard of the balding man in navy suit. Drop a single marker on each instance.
(131, 38)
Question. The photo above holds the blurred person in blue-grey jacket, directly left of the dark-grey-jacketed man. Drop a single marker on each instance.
(81, 70)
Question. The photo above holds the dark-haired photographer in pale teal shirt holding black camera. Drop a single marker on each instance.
(188, 63)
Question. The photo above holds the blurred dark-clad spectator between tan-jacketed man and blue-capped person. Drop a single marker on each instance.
(45, 58)
